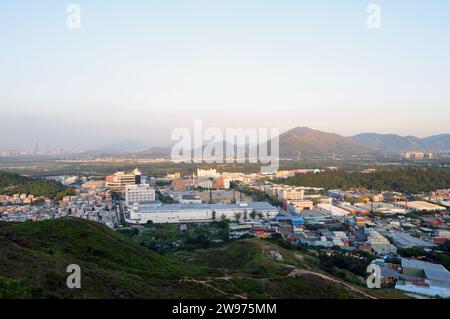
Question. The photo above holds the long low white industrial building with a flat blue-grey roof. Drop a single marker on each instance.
(157, 212)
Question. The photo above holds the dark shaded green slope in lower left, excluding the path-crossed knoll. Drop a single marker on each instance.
(34, 257)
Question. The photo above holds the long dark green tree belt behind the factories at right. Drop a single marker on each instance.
(405, 180)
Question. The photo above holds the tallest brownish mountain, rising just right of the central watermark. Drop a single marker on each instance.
(305, 142)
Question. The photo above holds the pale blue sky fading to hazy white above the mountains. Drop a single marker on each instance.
(136, 70)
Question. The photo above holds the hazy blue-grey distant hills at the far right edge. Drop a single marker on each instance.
(396, 143)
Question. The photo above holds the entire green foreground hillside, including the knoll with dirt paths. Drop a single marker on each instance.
(34, 257)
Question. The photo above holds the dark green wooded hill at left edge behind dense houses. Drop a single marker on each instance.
(11, 184)
